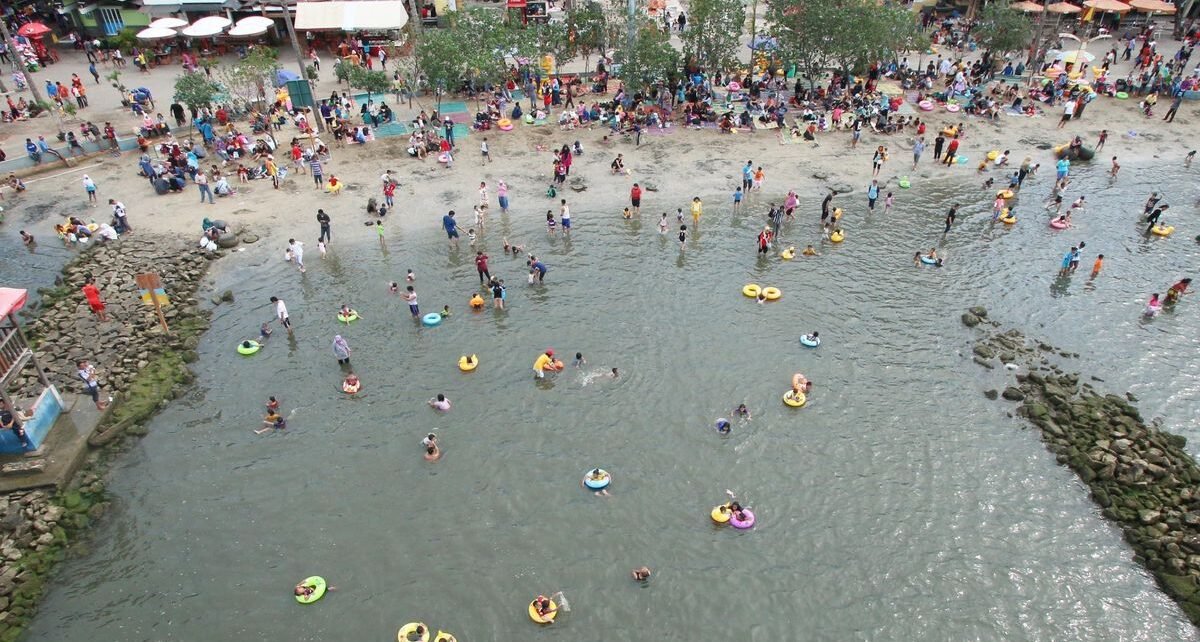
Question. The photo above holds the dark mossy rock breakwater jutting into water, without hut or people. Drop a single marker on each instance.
(1139, 476)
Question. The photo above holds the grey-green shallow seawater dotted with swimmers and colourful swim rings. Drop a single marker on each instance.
(899, 505)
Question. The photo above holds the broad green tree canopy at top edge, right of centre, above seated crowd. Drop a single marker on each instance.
(849, 35)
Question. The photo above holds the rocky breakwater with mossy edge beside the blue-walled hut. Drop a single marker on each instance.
(141, 367)
